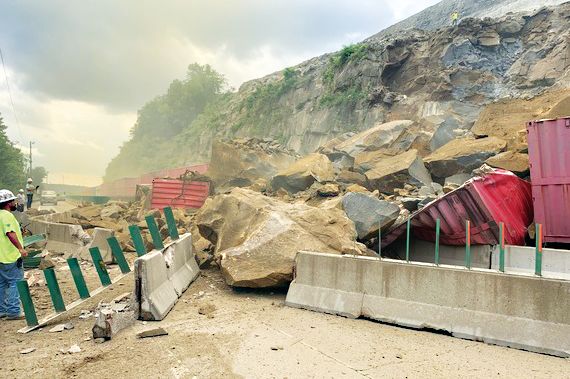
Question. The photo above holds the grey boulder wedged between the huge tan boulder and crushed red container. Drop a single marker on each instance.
(369, 214)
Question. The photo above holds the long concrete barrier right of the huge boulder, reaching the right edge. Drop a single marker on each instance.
(523, 312)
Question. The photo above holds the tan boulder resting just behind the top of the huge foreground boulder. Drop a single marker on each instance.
(303, 173)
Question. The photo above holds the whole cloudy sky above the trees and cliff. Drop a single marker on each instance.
(78, 71)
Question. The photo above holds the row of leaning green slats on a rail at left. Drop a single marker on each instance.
(78, 278)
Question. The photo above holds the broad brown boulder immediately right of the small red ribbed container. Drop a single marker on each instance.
(246, 160)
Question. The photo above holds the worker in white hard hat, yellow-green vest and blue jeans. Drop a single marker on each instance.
(11, 254)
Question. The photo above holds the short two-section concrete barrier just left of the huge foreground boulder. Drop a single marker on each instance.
(162, 276)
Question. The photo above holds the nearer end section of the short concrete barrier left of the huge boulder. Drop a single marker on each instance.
(154, 293)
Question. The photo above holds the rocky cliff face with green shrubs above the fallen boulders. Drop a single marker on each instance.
(441, 79)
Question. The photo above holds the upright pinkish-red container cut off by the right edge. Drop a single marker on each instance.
(549, 155)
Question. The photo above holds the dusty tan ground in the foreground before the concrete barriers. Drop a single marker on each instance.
(225, 333)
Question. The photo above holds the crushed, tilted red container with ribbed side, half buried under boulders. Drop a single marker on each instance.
(498, 196)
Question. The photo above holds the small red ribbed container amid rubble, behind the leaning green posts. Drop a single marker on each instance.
(176, 193)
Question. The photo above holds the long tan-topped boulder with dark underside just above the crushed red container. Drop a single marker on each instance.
(462, 156)
